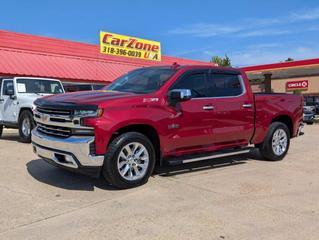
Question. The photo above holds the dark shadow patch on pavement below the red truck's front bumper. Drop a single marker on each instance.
(51, 175)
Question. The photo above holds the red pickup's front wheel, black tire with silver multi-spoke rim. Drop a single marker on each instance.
(119, 167)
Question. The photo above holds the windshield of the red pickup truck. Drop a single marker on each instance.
(143, 80)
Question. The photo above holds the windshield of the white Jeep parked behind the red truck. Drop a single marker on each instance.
(39, 86)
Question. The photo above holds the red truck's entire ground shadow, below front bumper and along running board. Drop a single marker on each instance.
(45, 173)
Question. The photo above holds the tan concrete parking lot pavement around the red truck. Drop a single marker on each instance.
(232, 198)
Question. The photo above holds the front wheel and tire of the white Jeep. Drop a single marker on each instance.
(24, 128)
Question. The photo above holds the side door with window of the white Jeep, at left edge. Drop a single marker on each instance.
(8, 105)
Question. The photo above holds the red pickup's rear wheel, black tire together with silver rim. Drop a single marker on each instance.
(266, 147)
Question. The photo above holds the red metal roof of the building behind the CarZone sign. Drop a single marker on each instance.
(28, 55)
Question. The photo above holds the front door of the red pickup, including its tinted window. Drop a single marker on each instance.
(190, 127)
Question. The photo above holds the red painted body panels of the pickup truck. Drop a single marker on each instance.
(228, 125)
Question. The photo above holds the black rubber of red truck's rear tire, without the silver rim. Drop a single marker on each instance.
(266, 147)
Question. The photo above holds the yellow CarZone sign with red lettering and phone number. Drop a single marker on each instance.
(132, 47)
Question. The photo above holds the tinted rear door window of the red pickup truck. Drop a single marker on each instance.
(224, 85)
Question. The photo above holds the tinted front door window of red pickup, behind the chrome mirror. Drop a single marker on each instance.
(196, 82)
